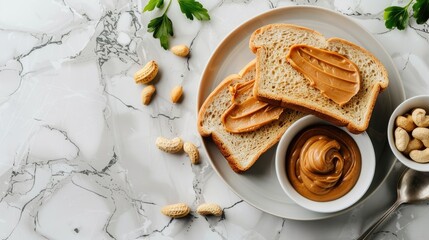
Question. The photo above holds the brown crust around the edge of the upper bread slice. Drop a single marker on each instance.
(308, 107)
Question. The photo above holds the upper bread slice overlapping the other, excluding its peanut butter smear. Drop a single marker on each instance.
(278, 83)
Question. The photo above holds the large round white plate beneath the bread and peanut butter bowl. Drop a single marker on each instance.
(259, 186)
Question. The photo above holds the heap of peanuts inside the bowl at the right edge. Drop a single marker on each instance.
(412, 135)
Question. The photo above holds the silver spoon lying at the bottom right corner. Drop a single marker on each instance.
(413, 186)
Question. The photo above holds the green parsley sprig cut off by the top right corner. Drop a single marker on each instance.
(398, 17)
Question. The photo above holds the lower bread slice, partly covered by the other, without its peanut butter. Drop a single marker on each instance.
(241, 150)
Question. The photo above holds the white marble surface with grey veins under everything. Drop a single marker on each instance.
(77, 152)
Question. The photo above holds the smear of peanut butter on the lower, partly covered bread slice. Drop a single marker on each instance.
(249, 114)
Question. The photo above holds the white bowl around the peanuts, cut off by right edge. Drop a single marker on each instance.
(421, 101)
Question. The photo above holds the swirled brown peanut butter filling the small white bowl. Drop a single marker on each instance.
(323, 163)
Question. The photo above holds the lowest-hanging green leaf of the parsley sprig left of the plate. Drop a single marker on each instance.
(162, 28)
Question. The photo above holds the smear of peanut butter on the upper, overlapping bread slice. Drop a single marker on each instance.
(334, 75)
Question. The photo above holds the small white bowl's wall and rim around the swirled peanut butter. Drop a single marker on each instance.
(364, 181)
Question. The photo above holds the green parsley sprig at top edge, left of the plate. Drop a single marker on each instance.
(162, 26)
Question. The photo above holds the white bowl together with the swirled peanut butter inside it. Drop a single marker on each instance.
(322, 167)
